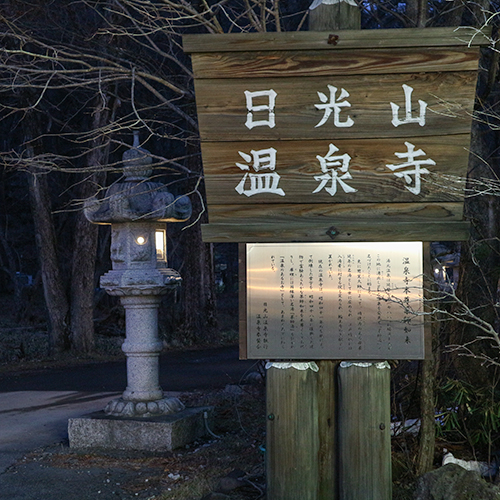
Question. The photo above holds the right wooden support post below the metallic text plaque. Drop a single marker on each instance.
(364, 431)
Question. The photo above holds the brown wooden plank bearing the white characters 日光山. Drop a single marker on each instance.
(222, 111)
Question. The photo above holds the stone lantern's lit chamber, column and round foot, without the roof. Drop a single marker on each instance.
(140, 279)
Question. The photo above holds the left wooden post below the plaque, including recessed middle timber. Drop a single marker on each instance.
(301, 432)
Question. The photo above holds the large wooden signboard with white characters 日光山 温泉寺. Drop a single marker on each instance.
(352, 136)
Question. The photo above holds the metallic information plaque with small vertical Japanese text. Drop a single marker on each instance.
(335, 301)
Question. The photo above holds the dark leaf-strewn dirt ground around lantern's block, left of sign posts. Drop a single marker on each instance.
(229, 464)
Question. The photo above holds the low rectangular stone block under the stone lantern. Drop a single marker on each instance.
(162, 433)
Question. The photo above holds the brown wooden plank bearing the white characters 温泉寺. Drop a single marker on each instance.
(297, 165)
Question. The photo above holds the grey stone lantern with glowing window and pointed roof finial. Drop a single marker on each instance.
(136, 207)
